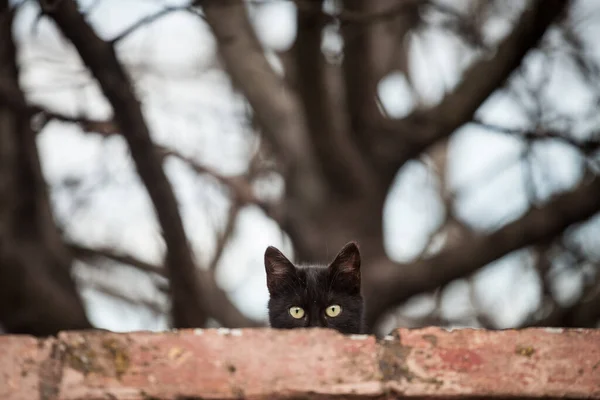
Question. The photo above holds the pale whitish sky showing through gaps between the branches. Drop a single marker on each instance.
(190, 106)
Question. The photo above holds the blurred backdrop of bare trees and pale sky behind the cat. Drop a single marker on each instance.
(150, 151)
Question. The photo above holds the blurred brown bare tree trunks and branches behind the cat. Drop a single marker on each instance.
(324, 129)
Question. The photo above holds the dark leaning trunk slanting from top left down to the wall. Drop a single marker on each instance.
(188, 303)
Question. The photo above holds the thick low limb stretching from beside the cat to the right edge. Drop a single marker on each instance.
(393, 284)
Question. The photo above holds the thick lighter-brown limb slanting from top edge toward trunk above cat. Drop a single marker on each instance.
(275, 105)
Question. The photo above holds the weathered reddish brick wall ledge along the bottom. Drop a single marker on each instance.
(262, 363)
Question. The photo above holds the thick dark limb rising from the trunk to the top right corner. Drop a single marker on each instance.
(408, 137)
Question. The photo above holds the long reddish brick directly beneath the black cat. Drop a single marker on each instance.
(221, 364)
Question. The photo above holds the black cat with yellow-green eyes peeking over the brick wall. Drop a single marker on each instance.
(315, 295)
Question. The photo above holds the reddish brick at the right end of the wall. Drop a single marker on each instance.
(529, 363)
